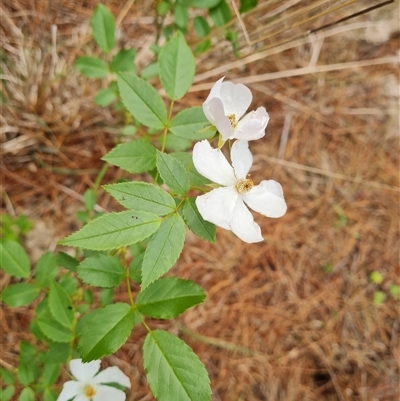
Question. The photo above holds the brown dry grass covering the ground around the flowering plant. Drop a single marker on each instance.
(288, 319)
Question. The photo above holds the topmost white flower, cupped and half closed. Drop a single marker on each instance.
(226, 104)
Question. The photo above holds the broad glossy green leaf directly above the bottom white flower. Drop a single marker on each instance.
(105, 331)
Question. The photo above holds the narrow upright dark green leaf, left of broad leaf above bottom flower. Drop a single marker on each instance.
(60, 305)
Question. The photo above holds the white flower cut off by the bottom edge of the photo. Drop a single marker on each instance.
(89, 385)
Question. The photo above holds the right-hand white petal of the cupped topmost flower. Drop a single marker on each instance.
(252, 125)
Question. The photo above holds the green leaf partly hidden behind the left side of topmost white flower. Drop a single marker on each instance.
(188, 121)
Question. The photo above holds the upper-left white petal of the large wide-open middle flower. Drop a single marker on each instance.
(212, 164)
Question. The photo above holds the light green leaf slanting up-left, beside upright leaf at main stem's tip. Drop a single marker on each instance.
(142, 100)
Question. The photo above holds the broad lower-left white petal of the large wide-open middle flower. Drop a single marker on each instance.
(217, 206)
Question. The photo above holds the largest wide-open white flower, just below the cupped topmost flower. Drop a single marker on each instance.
(225, 206)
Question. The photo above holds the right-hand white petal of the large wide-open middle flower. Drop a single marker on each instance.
(267, 199)
